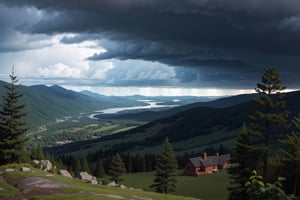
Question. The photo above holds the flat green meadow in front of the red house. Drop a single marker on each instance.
(208, 187)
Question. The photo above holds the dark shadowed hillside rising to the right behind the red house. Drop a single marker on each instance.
(193, 129)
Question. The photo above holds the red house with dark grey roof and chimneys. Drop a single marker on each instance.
(207, 164)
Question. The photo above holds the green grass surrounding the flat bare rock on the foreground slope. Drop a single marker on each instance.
(81, 190)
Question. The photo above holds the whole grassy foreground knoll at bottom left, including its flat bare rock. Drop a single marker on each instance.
(40, 185)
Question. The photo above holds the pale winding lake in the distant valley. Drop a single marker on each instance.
(150, 104)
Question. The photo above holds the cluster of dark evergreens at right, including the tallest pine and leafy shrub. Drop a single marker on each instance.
(260, 173)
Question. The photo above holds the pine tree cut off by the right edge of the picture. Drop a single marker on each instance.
(290, 155)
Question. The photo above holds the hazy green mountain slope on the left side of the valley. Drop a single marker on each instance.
(45, 104)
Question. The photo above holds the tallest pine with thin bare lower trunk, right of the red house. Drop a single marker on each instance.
(267, 120)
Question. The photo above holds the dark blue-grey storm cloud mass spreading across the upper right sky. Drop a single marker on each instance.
(222, 38)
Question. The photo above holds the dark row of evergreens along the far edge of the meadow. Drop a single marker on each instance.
(133, 162)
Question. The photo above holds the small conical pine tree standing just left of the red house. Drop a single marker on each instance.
(166, 170)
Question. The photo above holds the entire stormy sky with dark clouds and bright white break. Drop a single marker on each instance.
(173, 47)
